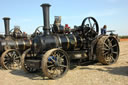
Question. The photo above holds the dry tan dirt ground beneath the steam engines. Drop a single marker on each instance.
(96, 74)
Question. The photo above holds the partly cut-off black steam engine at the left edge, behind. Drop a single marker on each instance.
(12, 44)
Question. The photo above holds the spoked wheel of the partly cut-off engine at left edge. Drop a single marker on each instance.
(10, 59)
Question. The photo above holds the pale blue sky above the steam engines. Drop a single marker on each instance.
(28, 14)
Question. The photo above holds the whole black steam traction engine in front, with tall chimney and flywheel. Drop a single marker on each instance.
(53, 51)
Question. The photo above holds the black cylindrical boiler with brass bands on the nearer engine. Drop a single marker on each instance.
(66, 42)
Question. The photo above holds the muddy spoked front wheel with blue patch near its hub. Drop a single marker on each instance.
(55, 63)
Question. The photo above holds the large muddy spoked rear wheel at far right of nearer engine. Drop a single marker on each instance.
(107, 50)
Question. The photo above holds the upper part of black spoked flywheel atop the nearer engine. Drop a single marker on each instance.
(91, 23)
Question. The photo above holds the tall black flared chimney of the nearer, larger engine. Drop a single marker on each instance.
(46, 28)
